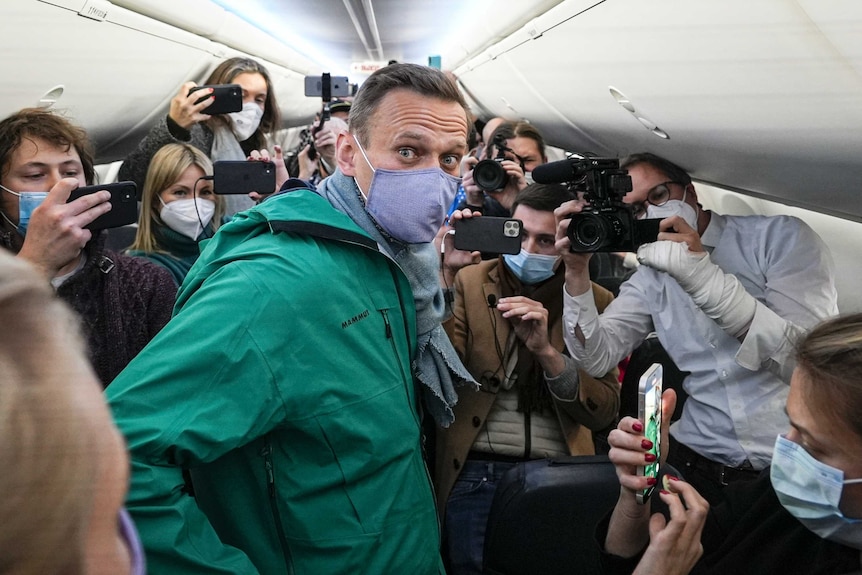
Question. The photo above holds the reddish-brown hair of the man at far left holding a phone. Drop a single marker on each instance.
(32, 123)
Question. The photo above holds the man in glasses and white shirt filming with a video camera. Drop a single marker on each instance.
(727, 296)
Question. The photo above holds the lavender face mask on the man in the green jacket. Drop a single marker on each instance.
(410, 205)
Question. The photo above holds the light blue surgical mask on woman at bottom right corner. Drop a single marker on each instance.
(810, 491)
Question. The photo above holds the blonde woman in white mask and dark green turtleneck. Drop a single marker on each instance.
(178, 209)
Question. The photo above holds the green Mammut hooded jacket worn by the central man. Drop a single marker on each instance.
(283, 384)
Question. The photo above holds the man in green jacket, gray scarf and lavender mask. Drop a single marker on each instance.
(304, 347)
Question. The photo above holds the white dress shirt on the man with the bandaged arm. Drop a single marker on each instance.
(737, 390)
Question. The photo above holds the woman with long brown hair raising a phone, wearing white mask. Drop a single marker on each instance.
(231, 136)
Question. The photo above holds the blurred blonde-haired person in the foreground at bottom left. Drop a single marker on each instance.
(65, 468)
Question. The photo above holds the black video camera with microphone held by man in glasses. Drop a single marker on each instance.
(606, 224)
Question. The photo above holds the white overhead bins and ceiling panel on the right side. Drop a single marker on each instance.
(762, 97)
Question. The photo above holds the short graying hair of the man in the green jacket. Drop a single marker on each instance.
(425, 81)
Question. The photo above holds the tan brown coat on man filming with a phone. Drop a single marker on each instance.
(472, 332)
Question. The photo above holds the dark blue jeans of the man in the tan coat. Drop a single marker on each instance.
(467, 514)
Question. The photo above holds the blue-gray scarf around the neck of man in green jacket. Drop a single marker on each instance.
(437, 365)
